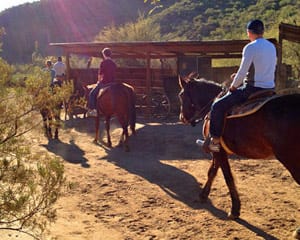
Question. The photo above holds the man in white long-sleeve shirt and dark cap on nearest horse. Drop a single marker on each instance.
(256, 73)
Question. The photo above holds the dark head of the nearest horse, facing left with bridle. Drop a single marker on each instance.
(196, 97)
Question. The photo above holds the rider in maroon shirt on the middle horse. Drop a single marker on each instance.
(106, 75)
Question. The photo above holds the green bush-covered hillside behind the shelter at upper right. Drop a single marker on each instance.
(214, 19)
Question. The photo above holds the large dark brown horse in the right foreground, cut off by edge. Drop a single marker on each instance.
(271, 131)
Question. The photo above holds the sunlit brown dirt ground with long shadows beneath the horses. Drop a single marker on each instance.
(152, 191)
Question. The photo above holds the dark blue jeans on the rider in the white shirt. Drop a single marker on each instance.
(220, 108)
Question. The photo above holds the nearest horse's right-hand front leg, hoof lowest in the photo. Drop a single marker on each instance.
(222, 158)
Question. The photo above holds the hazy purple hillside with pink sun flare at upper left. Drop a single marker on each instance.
(59, 21)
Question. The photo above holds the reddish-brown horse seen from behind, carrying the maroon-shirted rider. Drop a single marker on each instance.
(116, 99)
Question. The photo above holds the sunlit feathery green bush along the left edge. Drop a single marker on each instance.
(29, 183)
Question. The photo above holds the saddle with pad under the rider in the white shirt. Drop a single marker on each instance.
(253, 104)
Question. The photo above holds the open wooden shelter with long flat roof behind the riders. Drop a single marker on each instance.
(190, 56)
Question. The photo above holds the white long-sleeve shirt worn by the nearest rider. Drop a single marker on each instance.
(261, 55)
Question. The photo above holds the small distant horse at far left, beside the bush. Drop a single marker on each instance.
(51, 115)
